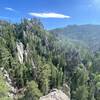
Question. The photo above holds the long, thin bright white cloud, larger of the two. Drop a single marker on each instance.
(48, 15)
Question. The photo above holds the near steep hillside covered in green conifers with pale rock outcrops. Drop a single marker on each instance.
(34, 61)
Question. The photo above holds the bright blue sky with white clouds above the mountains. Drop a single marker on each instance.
(52, 13)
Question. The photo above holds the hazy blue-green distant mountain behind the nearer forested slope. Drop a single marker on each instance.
(89, 34)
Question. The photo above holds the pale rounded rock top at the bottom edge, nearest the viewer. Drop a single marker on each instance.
(55, 95)
